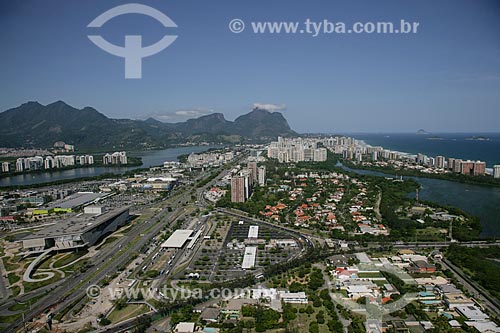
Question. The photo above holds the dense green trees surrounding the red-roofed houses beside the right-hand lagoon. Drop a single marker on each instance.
(395, 204)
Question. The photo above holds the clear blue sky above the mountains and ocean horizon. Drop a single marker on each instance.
(445, 78)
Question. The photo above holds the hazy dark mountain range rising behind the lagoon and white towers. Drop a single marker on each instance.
(33, 125)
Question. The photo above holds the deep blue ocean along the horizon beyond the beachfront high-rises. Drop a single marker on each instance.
(449, 145)
